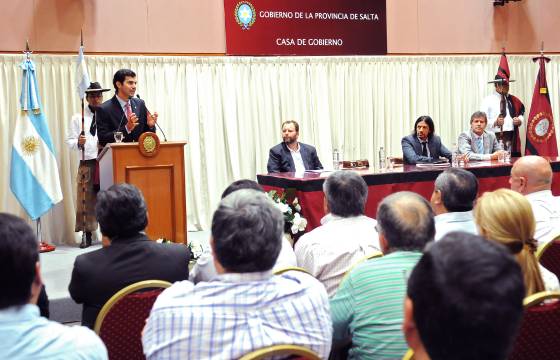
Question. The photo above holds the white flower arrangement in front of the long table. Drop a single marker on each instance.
(288, 204)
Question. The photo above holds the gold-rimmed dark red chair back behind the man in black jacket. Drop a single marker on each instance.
(122, 318)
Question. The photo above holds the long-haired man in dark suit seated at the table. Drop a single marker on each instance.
(423, 146)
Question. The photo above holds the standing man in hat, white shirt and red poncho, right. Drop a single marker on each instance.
(504, 111)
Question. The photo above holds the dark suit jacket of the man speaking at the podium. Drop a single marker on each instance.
(110, 117)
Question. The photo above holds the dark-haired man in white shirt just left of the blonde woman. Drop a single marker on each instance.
(453, 199)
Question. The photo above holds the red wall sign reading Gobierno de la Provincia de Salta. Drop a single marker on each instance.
(310, 27)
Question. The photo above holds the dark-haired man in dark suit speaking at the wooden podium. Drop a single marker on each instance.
(123, 112)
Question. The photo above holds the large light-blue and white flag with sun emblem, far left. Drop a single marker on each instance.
(34, 171)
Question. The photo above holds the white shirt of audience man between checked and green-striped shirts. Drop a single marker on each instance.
(329, 250)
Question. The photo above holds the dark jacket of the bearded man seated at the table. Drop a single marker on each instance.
(280, 158)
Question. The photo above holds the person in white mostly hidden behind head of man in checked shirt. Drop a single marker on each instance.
(204, 269)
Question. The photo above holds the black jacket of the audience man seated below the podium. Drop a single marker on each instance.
(98, 275)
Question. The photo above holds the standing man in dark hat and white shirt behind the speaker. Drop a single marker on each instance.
(82, 137)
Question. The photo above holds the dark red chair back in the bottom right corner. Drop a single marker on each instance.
(538, 335)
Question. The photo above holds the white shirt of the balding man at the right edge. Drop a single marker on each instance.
(546, 208)
